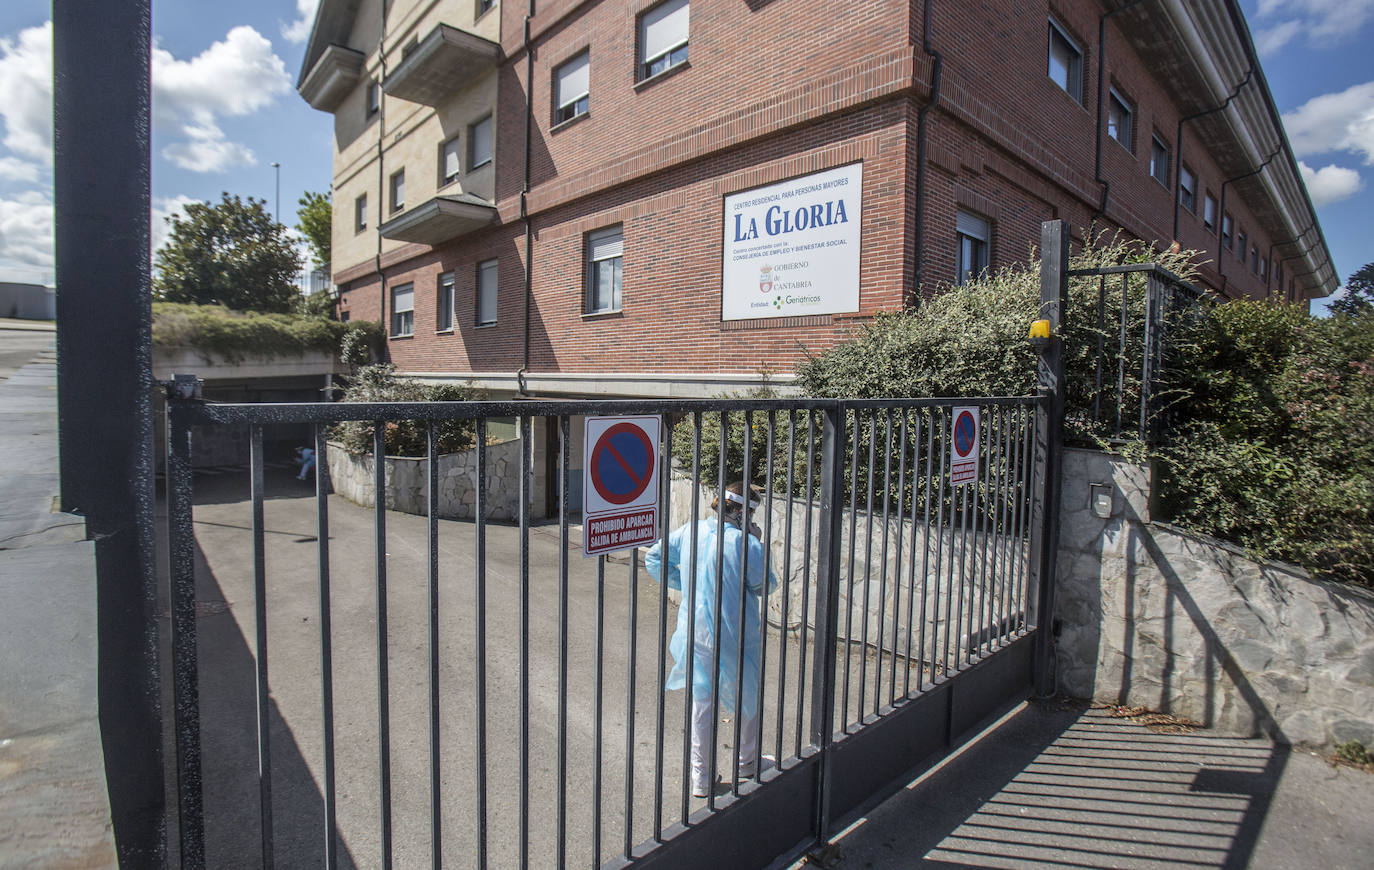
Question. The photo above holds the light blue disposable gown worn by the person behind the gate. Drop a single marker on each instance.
(681, 578)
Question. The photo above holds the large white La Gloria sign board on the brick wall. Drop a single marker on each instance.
(792, 249)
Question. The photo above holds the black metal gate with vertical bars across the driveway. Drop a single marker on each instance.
(892, 588)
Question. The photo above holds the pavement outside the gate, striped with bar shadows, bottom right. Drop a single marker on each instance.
(1057, 784)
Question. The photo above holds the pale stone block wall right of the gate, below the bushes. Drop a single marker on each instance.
(1158, 618)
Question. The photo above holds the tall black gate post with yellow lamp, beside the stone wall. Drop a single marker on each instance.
(1049, 446)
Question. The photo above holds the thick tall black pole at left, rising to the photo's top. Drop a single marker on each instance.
(105, 383)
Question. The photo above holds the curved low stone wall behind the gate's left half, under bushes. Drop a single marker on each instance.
(407, 479)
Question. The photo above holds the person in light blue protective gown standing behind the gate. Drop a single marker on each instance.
(741, 640)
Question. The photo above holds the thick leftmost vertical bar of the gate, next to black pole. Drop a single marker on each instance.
(186, 714)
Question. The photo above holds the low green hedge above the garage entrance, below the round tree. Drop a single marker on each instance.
(238, 335)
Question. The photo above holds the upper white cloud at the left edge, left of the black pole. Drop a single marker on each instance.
(27, 85)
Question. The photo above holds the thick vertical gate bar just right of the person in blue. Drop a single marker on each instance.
(828, 601)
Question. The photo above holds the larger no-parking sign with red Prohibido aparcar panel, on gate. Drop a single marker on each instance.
(620, 483)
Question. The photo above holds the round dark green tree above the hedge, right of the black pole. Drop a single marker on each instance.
(232, 254)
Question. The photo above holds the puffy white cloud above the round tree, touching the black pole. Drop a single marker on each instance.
(233, 78)
